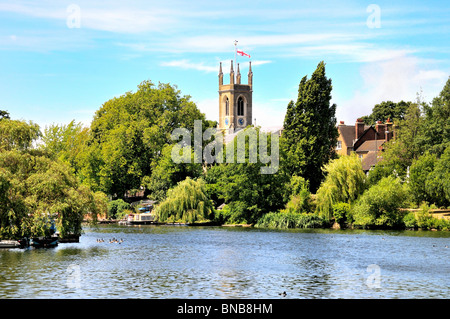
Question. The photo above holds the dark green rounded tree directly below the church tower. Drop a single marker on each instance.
(247, 192)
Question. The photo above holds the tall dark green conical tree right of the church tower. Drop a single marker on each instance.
(310, 134)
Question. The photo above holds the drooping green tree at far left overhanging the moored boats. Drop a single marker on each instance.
(37, 190)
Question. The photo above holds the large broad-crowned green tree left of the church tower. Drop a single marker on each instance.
(129, 132)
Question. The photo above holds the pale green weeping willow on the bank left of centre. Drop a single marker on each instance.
(187, 202)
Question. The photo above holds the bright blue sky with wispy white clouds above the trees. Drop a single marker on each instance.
(61, 60)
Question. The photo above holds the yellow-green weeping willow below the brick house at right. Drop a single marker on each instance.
(345, 181)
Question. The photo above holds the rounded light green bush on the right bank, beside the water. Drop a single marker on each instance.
(378, 207)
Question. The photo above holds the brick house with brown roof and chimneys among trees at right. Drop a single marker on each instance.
(365, 140)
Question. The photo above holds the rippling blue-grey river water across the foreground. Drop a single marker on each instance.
(226, 262)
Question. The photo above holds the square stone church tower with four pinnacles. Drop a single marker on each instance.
(235, 101)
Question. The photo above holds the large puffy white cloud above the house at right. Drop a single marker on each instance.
(396, 79)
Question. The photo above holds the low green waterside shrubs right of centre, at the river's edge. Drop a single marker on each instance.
(284, 220)
